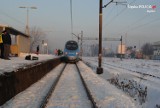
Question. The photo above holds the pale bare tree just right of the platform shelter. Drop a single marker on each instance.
(37, 35)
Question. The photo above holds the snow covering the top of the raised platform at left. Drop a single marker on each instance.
(18, 62)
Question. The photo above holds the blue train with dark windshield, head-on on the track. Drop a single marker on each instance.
(71, 51)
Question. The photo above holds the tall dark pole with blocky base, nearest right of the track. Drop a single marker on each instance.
(99, 68)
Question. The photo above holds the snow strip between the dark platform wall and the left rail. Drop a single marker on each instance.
(34, 95)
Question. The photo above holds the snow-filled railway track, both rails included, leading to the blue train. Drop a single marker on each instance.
(69, 90)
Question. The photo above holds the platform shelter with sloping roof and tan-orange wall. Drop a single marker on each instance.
(20, 41)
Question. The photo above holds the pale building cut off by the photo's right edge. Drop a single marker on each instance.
(156, 52)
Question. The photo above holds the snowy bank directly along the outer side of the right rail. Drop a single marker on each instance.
(105, 95)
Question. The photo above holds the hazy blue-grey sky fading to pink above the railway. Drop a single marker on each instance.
(136, 25)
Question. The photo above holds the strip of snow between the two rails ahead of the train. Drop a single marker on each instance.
(69, 92)
